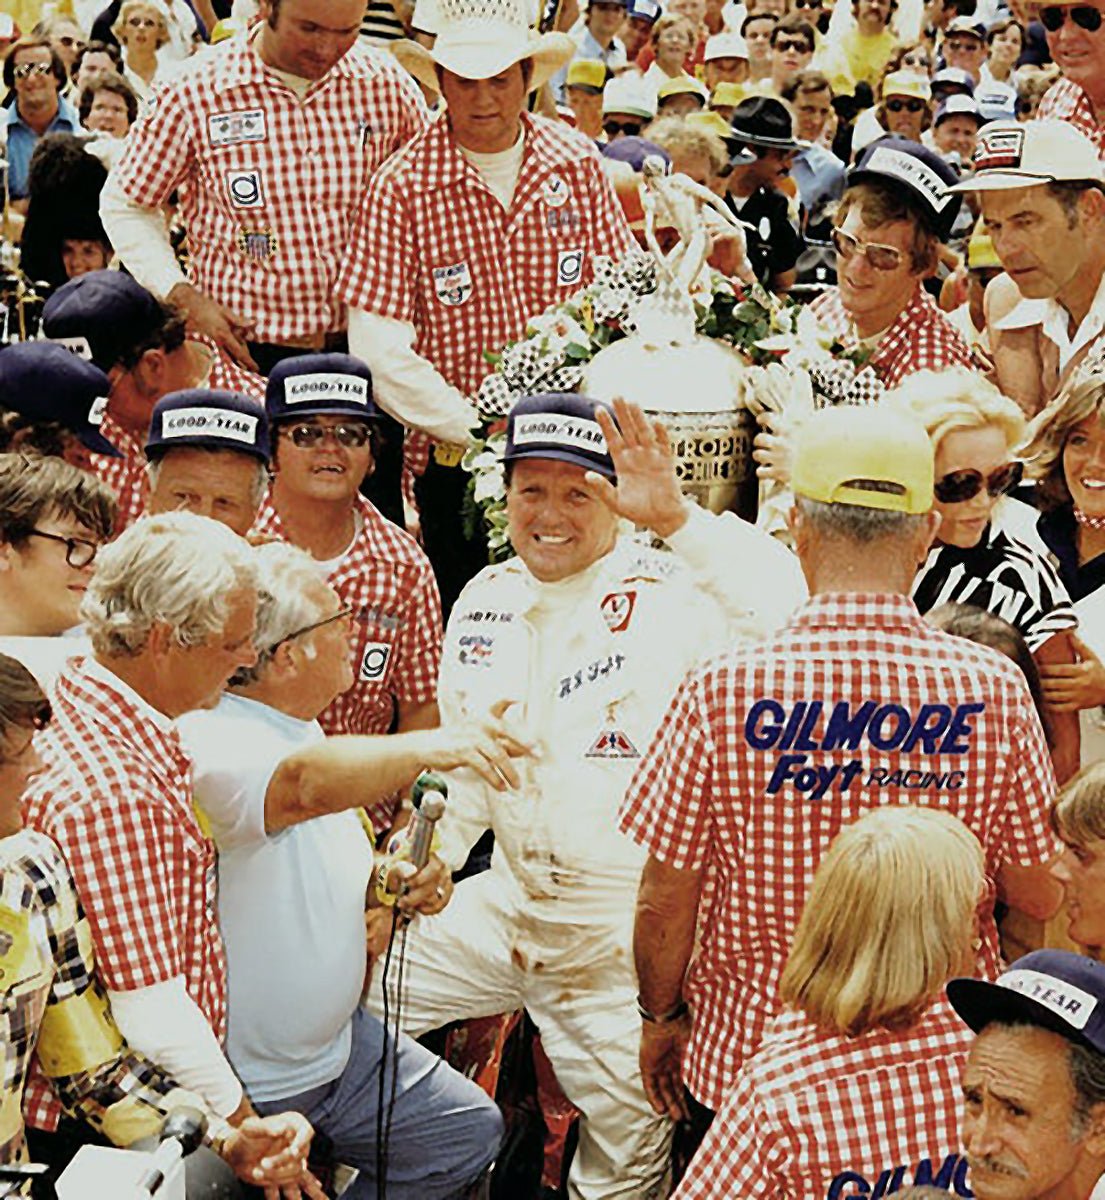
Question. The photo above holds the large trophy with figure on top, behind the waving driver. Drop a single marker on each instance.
(695, 385)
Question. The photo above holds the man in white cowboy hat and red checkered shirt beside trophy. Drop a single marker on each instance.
(479, 224)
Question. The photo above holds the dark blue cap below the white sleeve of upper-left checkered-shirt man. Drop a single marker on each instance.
(101, 315)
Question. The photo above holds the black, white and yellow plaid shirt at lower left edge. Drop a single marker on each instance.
(52, 1007)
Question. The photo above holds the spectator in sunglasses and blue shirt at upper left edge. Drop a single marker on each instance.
(35, 73)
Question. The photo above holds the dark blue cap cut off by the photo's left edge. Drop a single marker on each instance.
(49, 383)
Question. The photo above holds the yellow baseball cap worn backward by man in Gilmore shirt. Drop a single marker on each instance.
(872, 458)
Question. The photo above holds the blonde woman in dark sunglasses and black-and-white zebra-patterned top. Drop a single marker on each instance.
(977, 559)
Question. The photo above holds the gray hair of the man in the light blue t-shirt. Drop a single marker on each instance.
(291, 595)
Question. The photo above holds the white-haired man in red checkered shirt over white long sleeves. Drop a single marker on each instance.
(171, 615)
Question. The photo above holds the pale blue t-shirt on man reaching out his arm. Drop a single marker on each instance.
(292, 907)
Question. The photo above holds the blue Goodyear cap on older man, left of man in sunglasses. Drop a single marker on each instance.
(203, 417)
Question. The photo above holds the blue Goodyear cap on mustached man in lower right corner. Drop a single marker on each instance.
(1058, 991)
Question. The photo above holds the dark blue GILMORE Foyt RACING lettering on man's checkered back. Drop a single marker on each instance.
(809, 727)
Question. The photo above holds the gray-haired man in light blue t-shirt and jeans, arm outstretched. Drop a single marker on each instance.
(295, 868)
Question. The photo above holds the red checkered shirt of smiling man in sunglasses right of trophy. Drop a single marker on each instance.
(921, 339)
